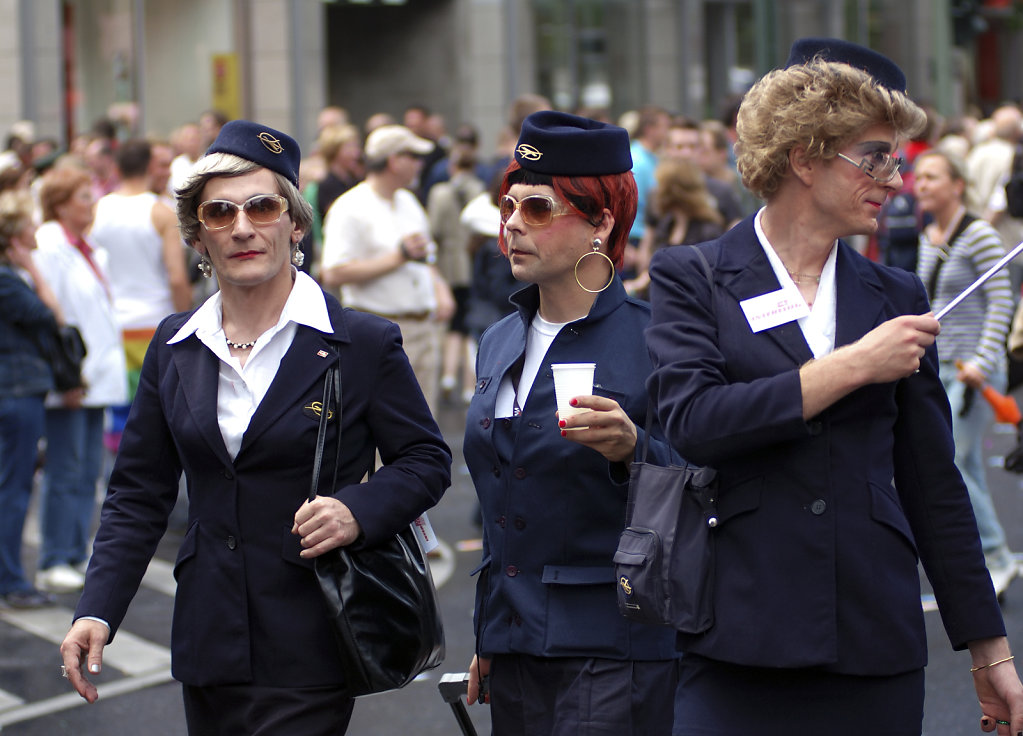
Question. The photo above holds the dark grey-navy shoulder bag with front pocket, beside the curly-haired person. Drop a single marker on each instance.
(664, 565)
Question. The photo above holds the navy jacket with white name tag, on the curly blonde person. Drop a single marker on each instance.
(823, 522)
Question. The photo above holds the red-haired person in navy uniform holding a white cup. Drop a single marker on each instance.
(559, 657)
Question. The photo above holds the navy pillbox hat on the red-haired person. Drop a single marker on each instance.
(563, 145)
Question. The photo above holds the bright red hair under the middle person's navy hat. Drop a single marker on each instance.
(588, 197)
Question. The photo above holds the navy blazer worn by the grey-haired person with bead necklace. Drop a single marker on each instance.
(248, 609)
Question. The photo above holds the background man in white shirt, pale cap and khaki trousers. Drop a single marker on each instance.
(378, 248)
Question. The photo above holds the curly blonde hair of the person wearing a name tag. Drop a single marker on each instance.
(822, 106)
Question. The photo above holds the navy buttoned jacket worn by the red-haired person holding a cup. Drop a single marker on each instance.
(554, 510)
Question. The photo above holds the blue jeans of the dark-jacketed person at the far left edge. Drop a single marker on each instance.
(21, 428)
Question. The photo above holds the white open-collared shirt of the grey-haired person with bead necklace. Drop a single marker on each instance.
(242, 388)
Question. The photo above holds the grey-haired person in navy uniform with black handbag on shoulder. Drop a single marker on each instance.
(231, 396)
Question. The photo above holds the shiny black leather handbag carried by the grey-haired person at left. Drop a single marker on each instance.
(381, 599)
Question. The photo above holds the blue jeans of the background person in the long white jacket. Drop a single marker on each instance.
(74, 460)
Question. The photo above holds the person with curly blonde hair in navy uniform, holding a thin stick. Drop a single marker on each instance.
(808, 376)
